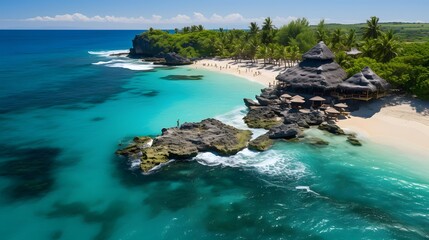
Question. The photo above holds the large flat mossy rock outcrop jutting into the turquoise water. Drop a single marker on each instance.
(185, 142)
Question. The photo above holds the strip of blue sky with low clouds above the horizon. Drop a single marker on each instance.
(142, 14)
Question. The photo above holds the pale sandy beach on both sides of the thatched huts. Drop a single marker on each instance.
(398, 122)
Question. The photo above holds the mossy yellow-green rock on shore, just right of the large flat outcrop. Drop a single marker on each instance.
(262, 117)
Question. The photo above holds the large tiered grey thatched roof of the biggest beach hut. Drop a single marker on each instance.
(318, 72)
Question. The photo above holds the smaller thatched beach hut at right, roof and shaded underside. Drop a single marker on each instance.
(364, 85)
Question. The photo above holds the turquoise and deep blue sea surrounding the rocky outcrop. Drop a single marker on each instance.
(65, 105)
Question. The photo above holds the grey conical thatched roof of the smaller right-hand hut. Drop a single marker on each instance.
(366, 80)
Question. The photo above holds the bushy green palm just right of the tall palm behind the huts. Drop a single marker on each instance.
(387, 47)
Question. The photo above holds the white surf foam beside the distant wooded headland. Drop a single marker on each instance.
(121, 61)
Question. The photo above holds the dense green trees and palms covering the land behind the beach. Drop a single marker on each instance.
(386, 48)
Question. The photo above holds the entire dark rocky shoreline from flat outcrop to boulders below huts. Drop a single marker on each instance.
(211, 135)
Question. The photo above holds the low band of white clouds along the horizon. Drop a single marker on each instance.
(196, 18)
